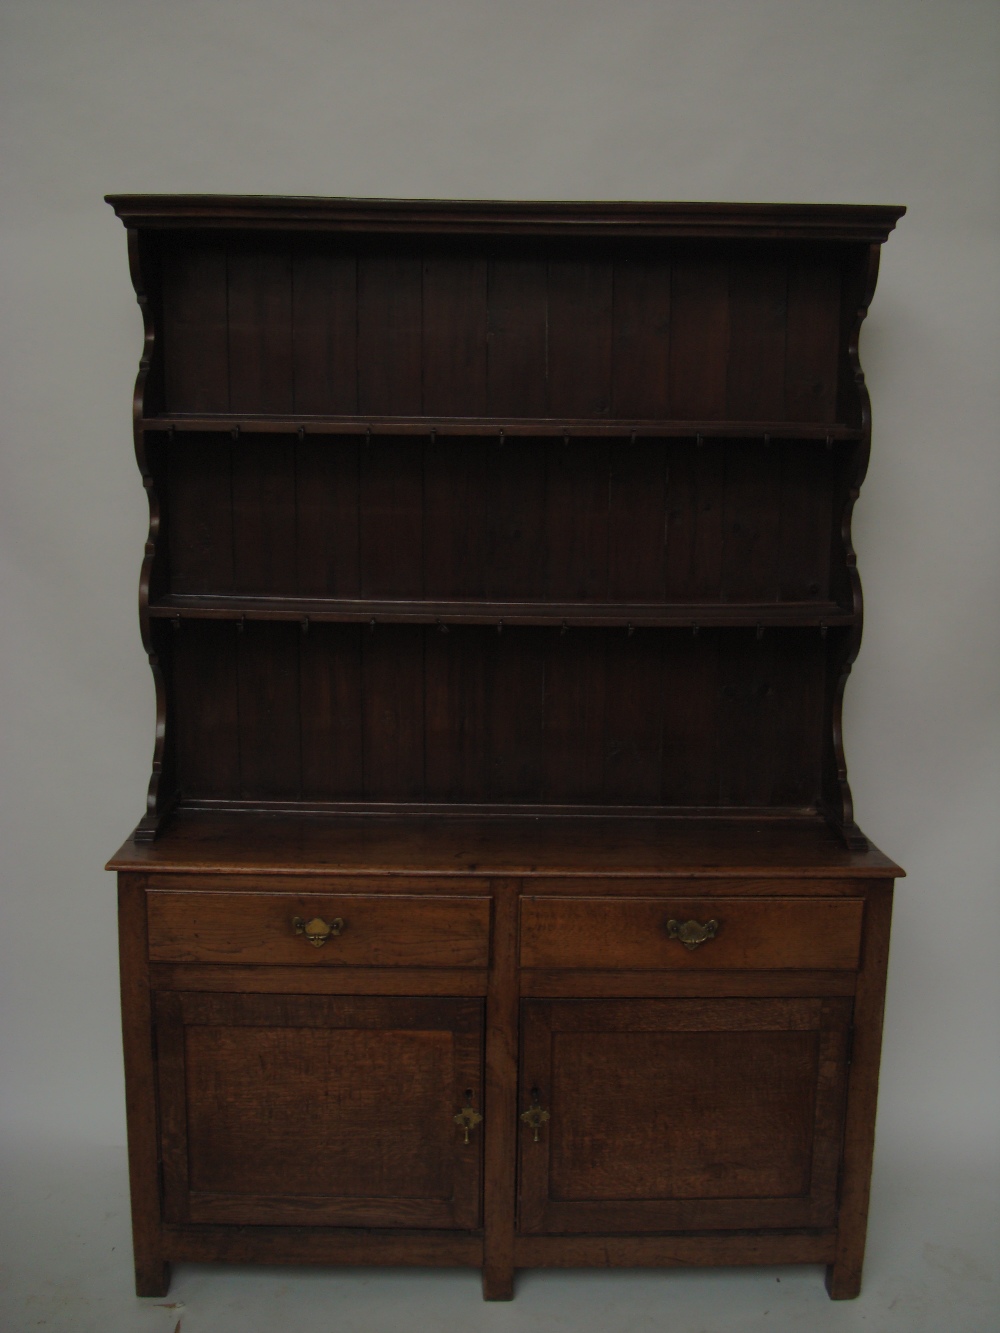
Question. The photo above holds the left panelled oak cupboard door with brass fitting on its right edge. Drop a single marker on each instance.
(333, 1111)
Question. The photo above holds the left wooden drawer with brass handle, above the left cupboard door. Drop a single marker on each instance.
(378, 931)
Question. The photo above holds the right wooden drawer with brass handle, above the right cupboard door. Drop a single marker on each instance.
(598, 934)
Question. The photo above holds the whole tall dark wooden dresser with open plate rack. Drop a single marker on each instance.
(501, 601)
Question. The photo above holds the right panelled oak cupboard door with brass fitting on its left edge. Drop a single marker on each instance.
(682, 1115)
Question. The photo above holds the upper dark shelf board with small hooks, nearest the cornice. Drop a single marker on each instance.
(549, 427)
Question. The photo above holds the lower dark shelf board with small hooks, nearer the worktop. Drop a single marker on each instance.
(471, 613)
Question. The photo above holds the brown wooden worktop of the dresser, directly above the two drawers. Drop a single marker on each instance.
(599, 851)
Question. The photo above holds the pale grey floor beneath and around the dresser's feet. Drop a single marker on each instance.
(66, 1266)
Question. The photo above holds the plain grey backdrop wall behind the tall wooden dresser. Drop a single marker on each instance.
(802, 101)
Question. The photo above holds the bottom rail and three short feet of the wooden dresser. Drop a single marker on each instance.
(398, 1248)
